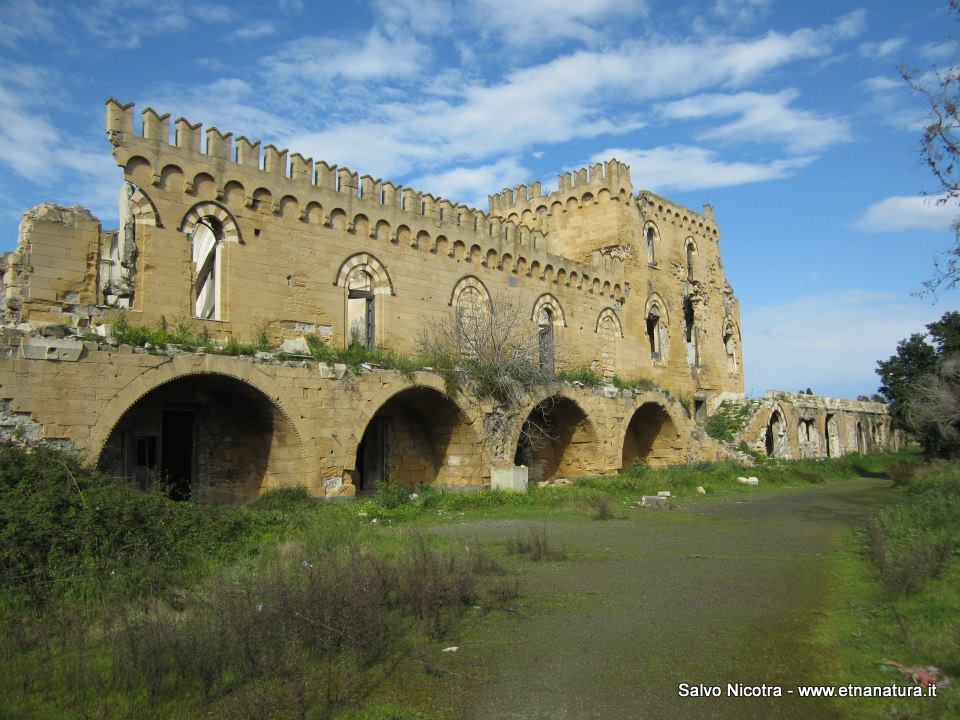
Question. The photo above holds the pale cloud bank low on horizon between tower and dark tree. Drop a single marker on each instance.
(830, 343)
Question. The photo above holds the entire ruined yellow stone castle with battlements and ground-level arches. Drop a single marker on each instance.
(235, 240)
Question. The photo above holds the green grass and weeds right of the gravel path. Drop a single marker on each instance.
(891, 604)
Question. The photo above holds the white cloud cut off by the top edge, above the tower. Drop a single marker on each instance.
(538, 22)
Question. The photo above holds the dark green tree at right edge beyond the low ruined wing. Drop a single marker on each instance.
(916, 362)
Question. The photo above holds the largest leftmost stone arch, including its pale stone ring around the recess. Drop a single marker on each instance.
(267, 426)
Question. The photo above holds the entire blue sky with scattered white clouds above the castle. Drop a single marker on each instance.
(789, 118)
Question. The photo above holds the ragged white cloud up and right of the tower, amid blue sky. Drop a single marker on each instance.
(763, 118)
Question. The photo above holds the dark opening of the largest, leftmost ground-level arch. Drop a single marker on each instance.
(206, 437)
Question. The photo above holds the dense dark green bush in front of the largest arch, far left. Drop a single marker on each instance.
(70, 532)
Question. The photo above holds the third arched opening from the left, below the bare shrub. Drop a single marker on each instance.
(556, 440)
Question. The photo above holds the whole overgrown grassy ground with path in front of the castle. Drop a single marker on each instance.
(117, 604)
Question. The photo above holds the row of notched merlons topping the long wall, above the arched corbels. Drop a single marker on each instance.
(280, 174)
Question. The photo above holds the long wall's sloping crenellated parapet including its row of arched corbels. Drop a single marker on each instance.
(213, 164)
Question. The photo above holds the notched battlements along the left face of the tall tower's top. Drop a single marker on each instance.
(612, 176)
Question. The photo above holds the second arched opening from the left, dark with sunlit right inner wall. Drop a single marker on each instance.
(417, 437)
